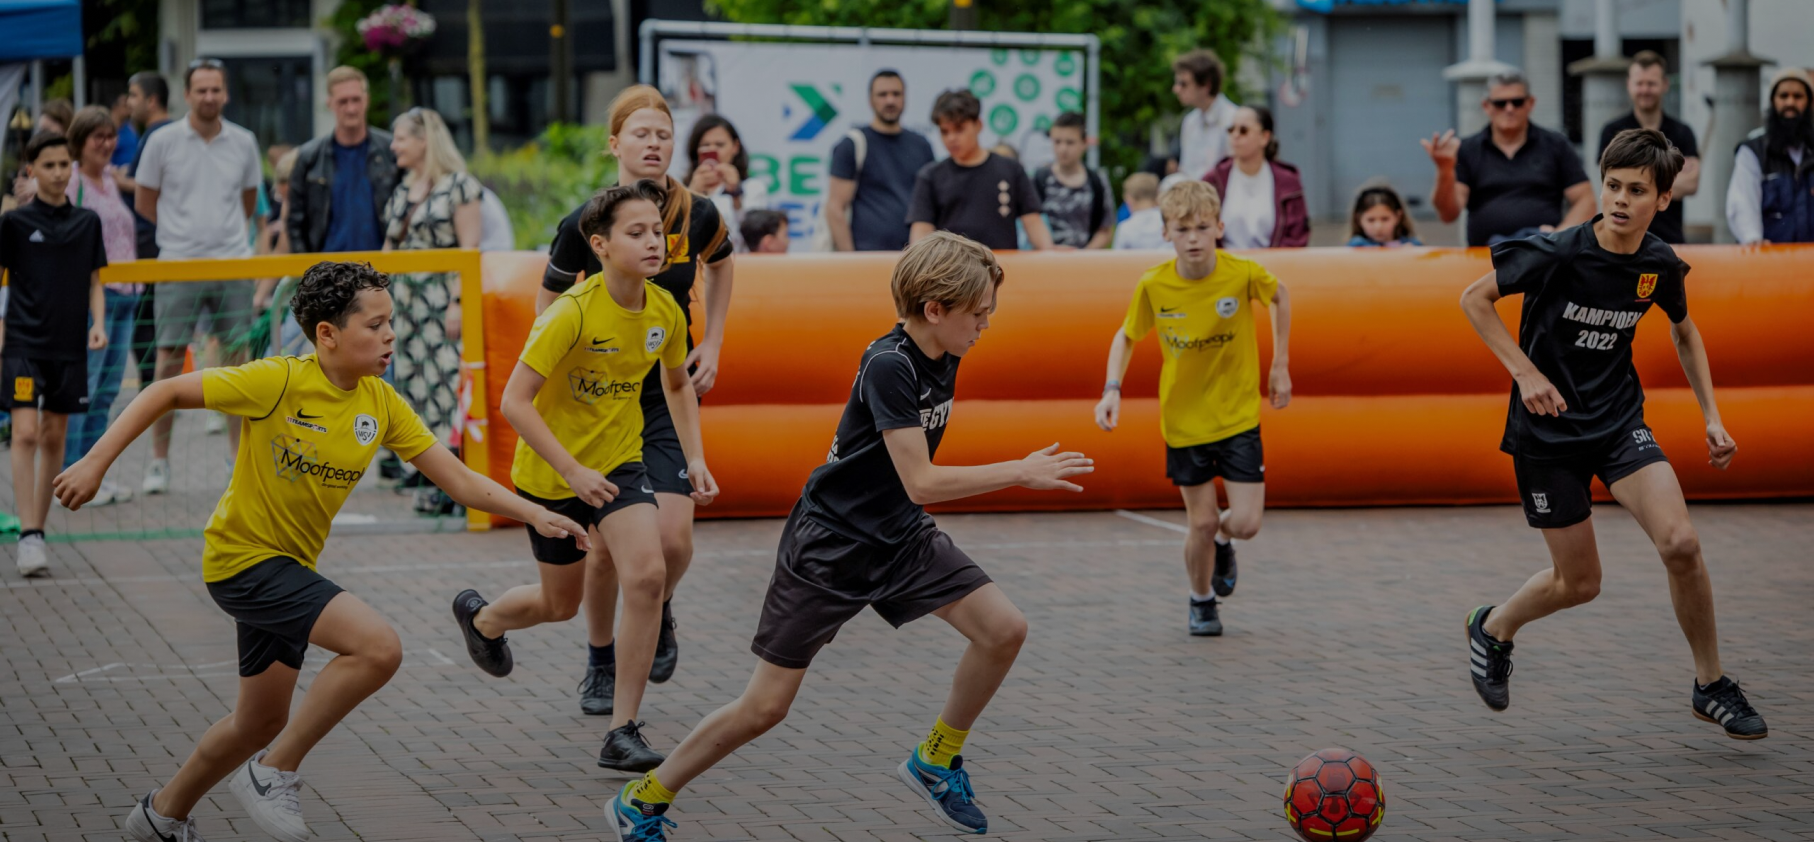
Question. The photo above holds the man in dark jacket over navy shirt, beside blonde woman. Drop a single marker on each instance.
(342, 181)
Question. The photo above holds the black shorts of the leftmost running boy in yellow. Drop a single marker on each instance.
(275, 603)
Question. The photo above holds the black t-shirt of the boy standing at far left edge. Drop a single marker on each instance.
(50, 255)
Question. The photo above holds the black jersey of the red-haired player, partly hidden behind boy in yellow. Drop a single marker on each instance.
(571, 259)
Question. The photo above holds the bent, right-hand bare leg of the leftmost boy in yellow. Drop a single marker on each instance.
(367, 656)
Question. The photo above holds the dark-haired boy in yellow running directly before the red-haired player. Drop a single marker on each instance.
(576, 404)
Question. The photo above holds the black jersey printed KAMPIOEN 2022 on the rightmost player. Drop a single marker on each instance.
(1581, 311)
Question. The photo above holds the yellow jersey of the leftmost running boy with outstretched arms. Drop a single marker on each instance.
(304, 447)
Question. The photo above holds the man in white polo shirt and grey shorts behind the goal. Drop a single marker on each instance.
(199, 184)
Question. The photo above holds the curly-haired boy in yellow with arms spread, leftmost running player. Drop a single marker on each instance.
(311, 429)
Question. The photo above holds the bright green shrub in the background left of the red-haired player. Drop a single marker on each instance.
(547, 179)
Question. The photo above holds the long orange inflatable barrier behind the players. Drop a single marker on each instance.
(1396, 402)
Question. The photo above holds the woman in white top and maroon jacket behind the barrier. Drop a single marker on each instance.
(1263, 199)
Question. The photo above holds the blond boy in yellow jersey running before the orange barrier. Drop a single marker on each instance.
(1209, 389)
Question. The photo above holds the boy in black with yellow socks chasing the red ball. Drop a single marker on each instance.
(861, 538)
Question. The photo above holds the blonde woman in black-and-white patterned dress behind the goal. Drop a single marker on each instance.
(436, 206)
